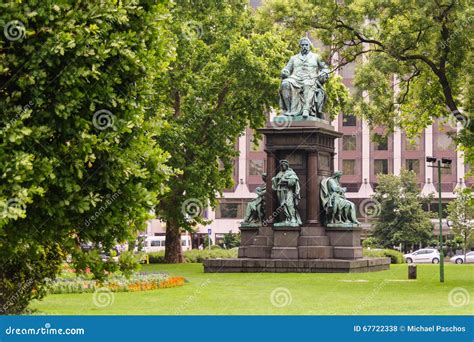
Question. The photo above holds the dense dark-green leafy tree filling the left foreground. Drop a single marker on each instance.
(78, 155)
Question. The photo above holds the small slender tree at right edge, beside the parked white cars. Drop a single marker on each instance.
(461, 215)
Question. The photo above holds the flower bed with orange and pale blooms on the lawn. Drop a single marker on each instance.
(137, 282)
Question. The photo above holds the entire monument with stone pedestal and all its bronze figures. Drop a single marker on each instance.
(301, 220)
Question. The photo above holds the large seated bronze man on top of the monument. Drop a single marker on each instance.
(301, 91)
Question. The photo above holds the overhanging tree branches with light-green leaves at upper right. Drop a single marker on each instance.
(417, 57)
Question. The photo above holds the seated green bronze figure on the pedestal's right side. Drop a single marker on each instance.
(336, 208)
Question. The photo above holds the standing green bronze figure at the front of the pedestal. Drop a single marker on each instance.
(287, 186)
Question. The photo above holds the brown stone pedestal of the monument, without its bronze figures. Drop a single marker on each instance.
(308, 145)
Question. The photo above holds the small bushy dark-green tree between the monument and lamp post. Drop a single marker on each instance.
(401, 219)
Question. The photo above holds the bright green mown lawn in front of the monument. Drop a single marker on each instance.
(387, 292)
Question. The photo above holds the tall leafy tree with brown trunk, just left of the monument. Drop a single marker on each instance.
(224, 78)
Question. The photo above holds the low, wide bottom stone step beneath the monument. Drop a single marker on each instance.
(245, 265)
